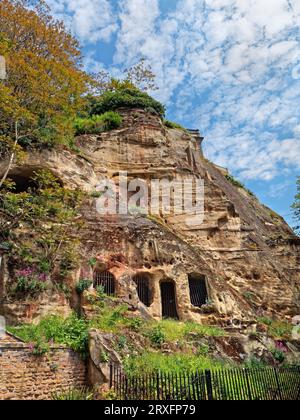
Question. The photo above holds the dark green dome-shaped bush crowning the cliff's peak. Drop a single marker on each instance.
(125, 98)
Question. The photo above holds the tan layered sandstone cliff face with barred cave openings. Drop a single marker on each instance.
(241, 261)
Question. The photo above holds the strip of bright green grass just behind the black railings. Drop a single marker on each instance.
(150, 362)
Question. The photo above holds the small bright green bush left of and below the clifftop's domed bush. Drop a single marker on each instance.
(97, 124)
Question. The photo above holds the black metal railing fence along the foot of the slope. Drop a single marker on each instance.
(227, 384)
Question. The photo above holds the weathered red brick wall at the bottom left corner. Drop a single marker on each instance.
(27, 377)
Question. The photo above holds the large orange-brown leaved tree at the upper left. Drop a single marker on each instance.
(45, 83)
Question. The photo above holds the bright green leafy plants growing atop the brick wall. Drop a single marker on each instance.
(72, 332)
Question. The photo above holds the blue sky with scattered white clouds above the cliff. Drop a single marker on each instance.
(228, 67)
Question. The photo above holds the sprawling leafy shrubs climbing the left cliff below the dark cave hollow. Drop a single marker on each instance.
(49, 212)
